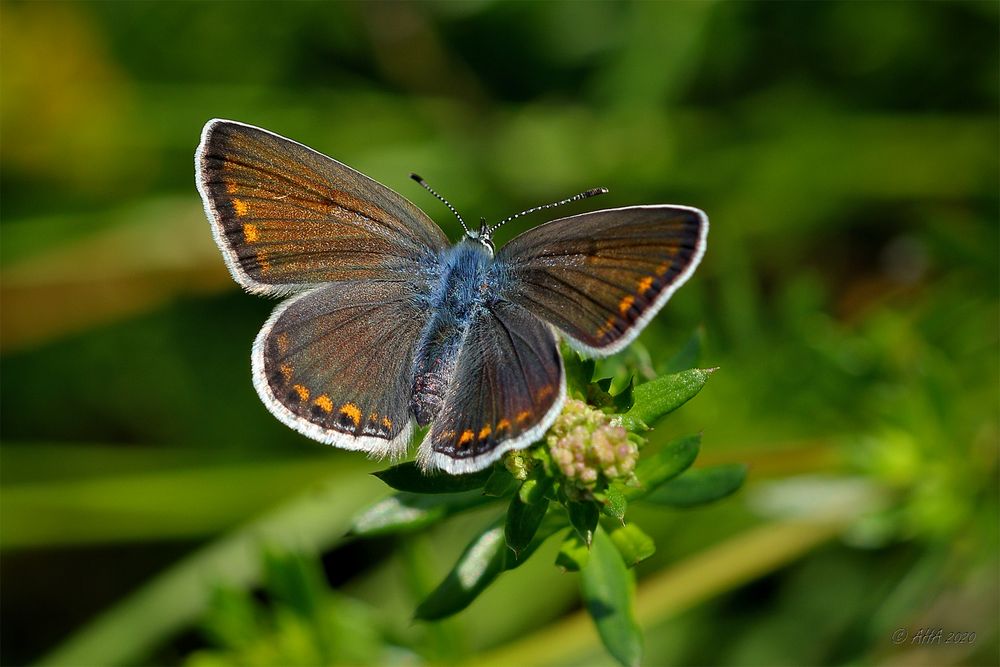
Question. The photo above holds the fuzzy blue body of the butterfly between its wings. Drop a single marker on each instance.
(465, 286)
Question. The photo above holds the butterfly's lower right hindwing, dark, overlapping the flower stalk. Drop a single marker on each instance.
(507, 390)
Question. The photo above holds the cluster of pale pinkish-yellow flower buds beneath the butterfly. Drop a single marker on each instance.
(586, 445)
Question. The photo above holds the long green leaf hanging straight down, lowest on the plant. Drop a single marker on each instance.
(608, 591)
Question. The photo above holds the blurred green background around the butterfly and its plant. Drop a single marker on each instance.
(847, 154)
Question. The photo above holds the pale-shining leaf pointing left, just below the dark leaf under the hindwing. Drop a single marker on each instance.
(409, 511)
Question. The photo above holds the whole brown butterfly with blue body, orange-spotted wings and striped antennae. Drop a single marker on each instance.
(387, 325)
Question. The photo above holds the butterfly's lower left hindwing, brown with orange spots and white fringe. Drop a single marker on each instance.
(335, 363)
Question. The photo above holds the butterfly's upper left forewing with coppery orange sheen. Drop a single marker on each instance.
(288, 217)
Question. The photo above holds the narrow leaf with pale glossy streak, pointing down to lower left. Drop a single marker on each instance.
(481, 562)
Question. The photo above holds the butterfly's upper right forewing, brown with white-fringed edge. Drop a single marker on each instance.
(600, 277)
